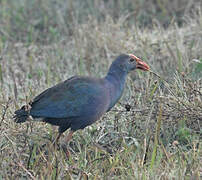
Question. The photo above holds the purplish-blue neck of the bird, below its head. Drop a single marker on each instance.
(116, 81)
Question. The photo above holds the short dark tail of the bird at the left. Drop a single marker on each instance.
(21, 115)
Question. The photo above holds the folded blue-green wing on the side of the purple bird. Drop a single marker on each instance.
(67, 99)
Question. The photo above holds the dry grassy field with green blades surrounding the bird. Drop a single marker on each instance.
(154, 132)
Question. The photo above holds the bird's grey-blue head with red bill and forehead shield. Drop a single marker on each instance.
(127, 63)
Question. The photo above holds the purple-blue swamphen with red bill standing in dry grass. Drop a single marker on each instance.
(80, 100)
